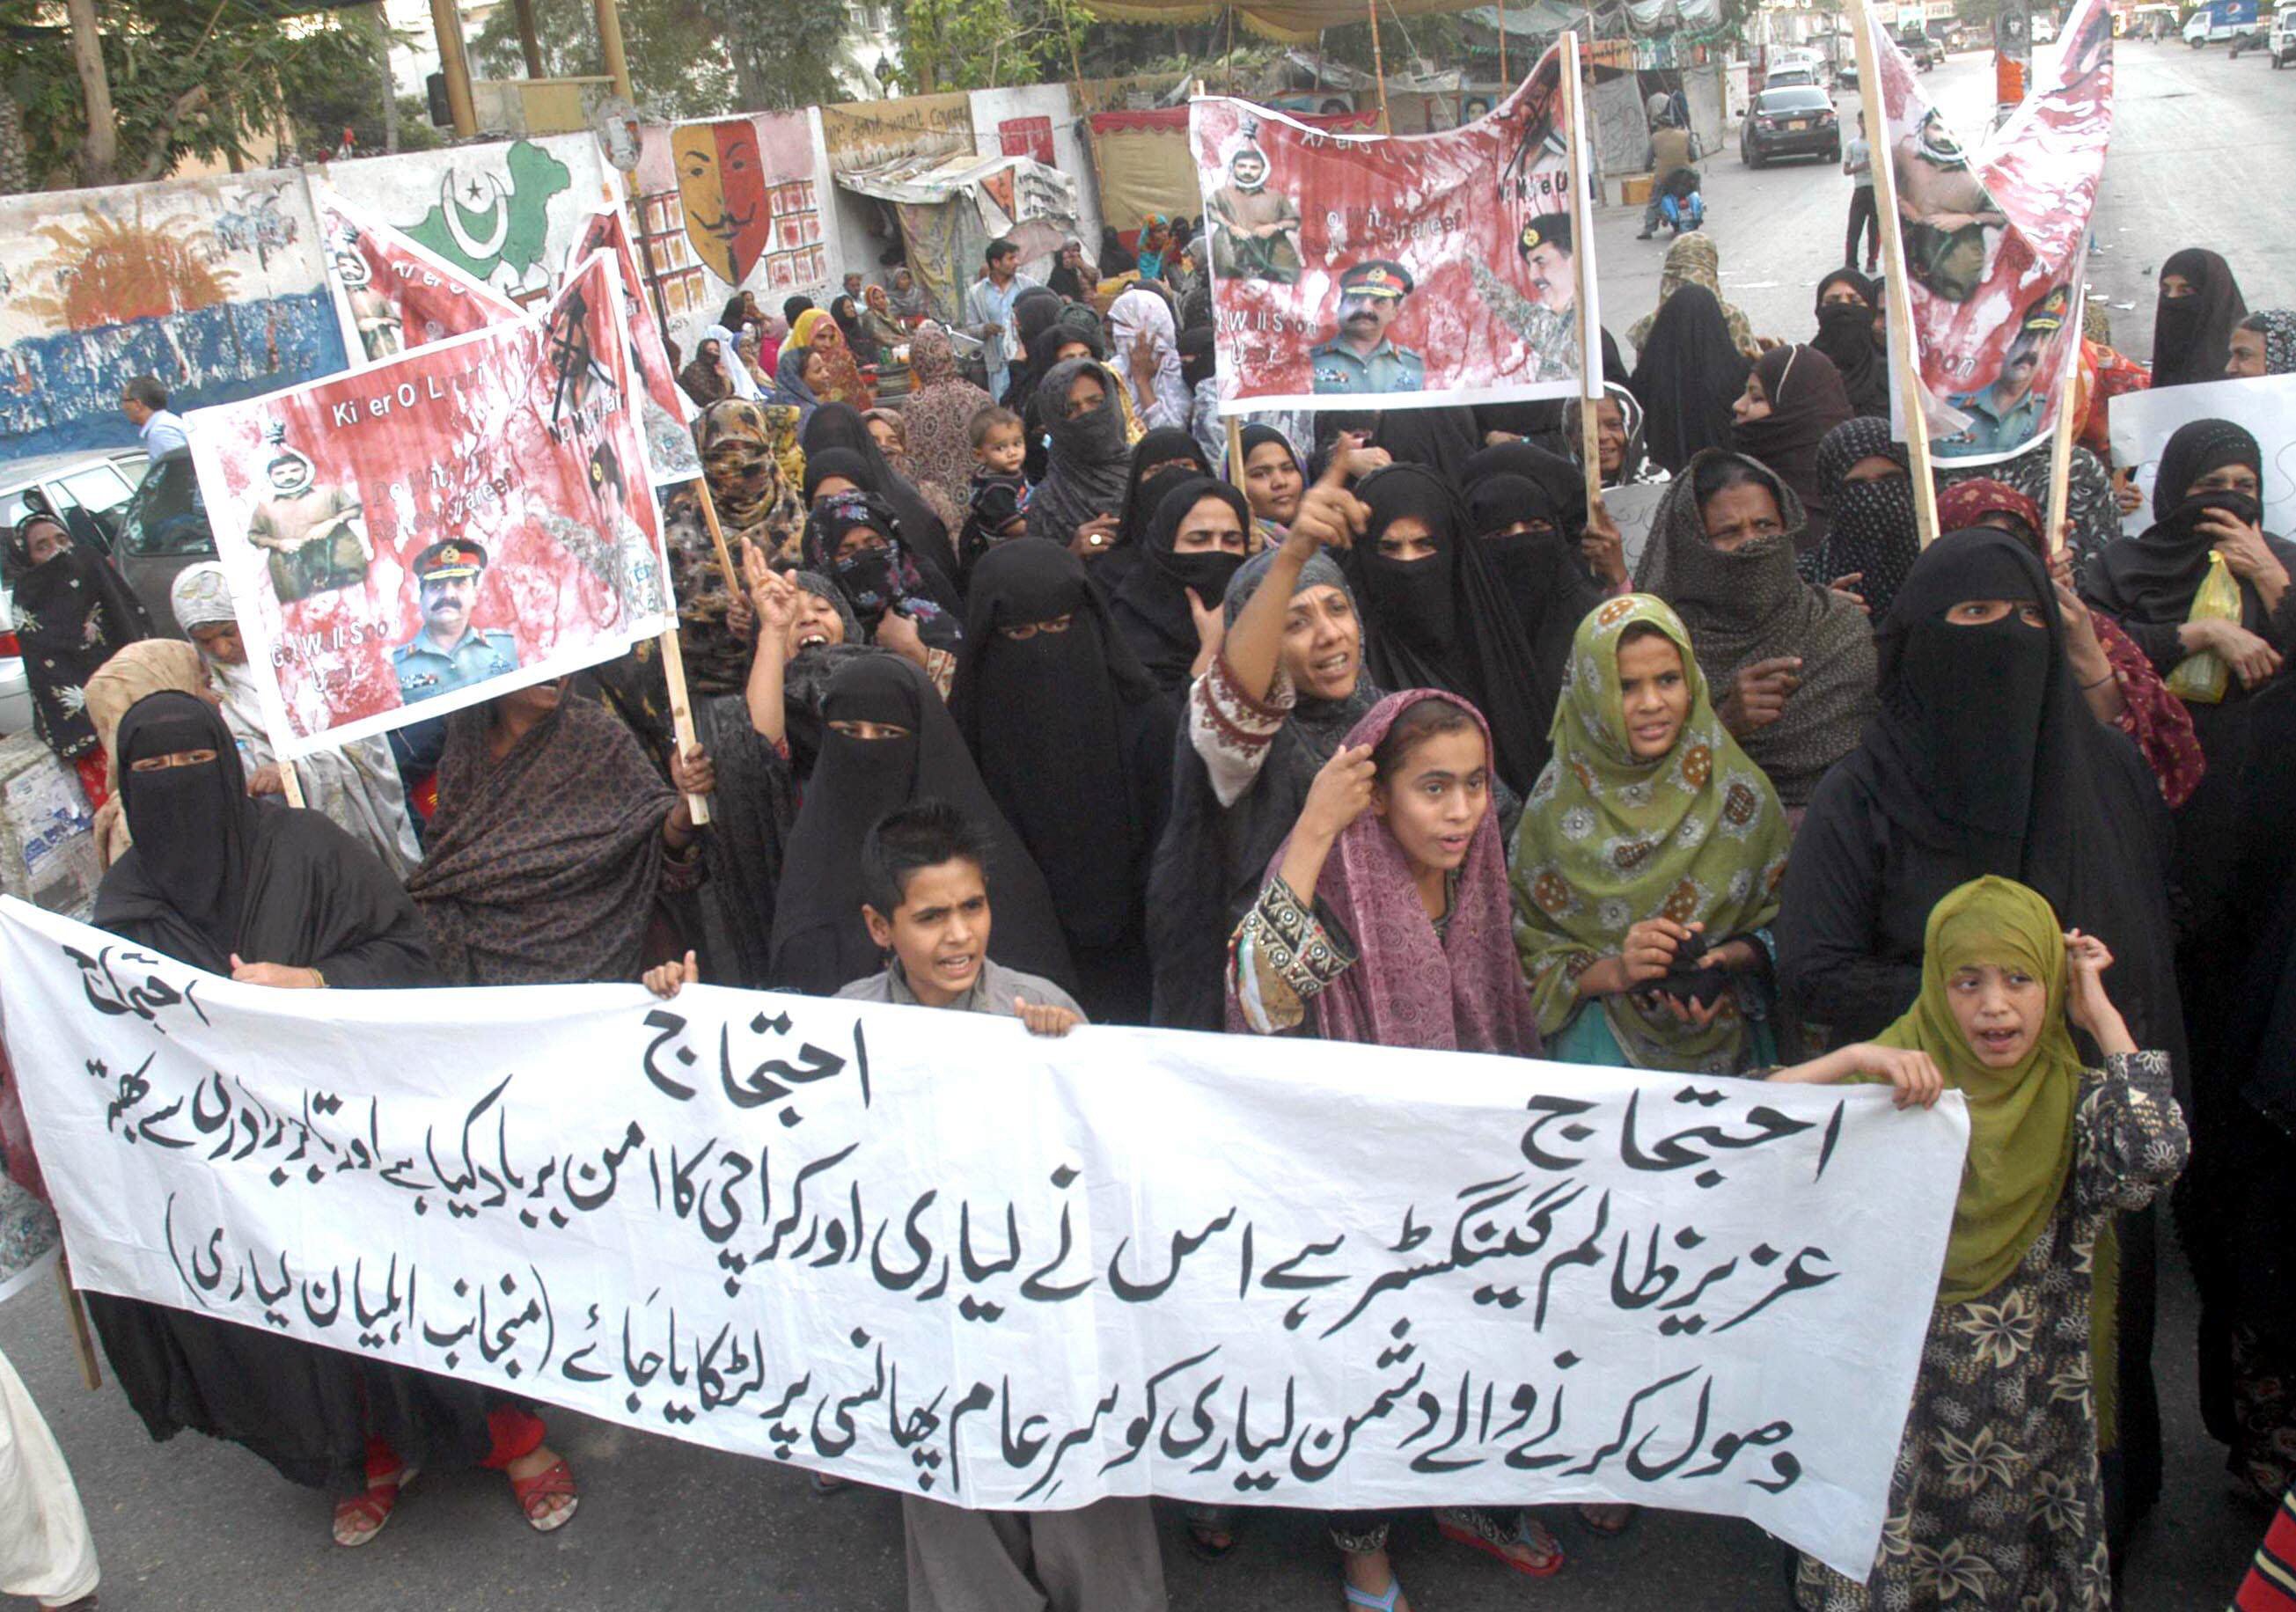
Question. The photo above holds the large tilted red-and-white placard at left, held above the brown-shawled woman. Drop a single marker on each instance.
(444, 527)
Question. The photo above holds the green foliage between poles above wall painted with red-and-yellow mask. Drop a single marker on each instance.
(667, 42)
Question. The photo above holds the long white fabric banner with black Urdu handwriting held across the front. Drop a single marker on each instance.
(931, 1253)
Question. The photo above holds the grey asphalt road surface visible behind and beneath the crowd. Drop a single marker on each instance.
(199, 1526)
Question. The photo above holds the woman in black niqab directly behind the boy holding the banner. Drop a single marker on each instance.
(821, 943)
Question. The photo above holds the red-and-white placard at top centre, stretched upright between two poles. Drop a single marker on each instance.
(1393, 272)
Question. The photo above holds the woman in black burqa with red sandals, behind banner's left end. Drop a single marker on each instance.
(284, 899)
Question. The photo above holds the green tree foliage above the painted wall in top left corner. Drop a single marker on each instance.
(189, 79)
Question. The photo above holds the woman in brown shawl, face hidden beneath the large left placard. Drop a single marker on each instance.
(552, 842)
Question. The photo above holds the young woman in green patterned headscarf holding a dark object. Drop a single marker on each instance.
(1647, 862)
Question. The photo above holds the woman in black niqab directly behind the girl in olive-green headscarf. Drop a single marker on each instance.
(1985, 759)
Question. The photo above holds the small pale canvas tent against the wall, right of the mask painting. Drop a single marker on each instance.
(952, 208)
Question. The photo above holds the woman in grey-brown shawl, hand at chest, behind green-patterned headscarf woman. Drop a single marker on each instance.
(1792, 662)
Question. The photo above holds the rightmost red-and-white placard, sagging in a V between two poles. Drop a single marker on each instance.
(1994, 242)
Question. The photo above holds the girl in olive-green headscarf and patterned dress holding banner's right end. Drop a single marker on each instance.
(1996, 1498)
